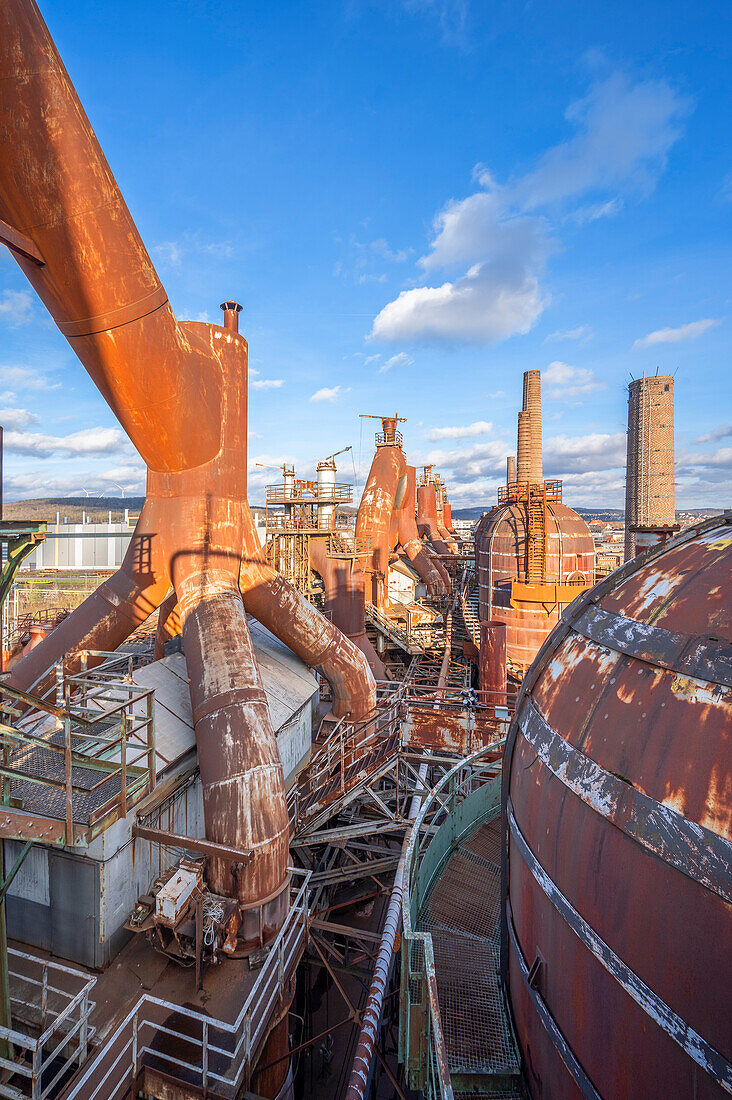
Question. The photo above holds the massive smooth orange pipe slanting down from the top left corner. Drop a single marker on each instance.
(97, 280)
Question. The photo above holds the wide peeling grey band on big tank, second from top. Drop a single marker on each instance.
(702, 855)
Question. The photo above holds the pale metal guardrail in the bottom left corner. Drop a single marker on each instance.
(53, 1000)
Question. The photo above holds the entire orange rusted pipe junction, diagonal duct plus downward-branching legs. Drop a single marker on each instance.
(180, 391)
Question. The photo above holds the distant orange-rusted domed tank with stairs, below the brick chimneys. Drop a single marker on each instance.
(531, 607)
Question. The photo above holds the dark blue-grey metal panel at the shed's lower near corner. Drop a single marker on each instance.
(75, 909)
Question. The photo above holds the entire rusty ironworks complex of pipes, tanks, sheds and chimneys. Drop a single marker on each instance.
(355, 812)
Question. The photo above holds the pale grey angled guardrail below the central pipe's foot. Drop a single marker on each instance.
(218, 1055)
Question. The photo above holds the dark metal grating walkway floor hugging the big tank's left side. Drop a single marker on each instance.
(463, 916)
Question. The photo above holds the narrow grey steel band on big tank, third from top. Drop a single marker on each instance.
(715, 1064)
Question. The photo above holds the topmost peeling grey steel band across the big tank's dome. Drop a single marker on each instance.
(702, 658)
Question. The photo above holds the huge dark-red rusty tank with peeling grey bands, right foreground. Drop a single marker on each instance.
(618, 837)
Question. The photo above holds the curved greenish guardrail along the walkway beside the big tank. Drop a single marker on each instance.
(422, 1046)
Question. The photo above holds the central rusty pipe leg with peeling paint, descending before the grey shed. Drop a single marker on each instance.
(245, 802)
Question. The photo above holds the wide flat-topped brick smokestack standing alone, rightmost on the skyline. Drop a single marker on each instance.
(650, 494)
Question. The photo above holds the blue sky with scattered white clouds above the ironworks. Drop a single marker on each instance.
(416, 202)
